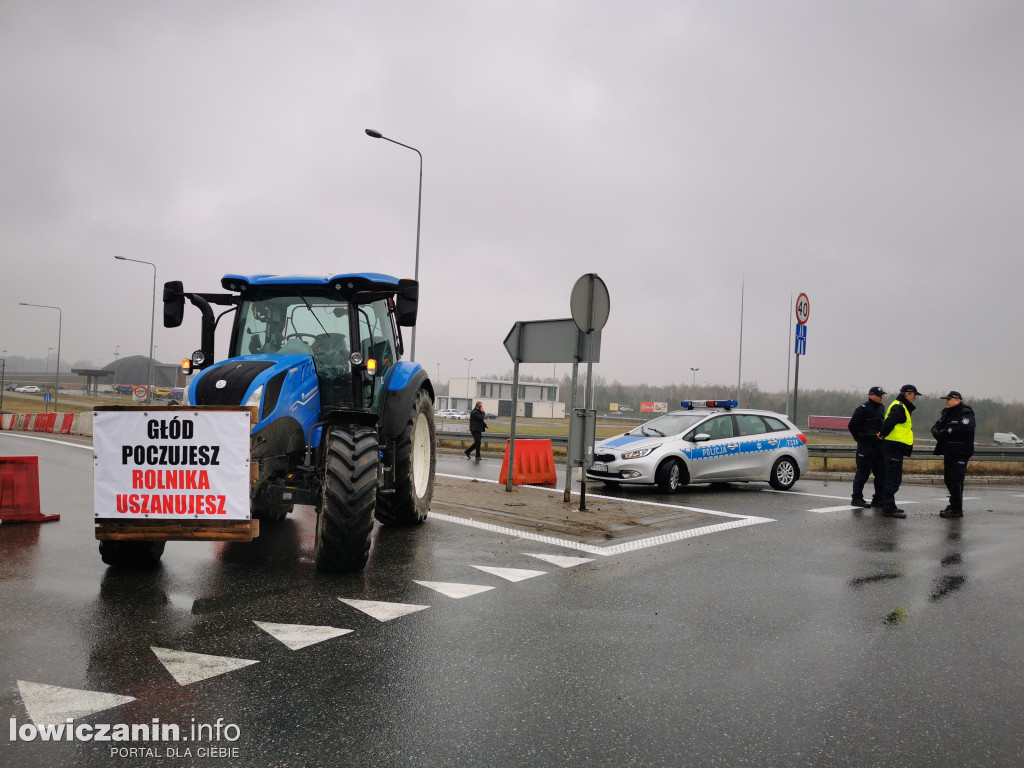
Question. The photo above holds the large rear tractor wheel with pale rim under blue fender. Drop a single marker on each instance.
(415, 463)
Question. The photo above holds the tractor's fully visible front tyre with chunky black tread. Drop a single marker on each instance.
(347, 514)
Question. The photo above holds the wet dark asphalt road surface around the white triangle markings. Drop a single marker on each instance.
(826, 638)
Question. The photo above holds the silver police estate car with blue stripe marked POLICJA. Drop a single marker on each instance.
(706, 442)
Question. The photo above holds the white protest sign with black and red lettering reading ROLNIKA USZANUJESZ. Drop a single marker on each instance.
(172, 465)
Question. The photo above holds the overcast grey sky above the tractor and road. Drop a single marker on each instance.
(869, 154)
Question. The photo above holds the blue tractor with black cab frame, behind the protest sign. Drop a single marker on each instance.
(344, 423)
